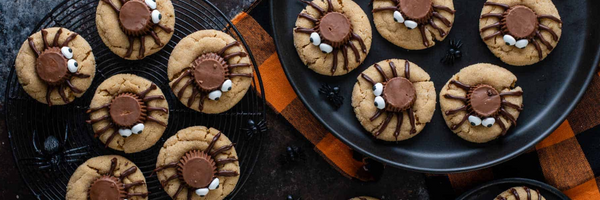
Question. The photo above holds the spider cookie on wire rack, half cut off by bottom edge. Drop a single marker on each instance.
(107, 177)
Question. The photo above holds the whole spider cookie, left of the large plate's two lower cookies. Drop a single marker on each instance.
(394, 99)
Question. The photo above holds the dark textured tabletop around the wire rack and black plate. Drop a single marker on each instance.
(309, 178)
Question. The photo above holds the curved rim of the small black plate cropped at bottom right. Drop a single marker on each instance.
(516, 181)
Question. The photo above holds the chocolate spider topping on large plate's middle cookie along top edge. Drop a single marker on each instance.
(418, 13)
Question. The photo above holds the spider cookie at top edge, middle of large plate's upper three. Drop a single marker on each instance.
(396, 21)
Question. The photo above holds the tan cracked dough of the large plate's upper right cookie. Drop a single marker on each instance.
(510, 54)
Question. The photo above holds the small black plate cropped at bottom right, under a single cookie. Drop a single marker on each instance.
(492, 189)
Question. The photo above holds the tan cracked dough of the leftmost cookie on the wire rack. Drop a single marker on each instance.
(36, 87)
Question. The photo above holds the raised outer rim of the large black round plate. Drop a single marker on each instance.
(591, 67)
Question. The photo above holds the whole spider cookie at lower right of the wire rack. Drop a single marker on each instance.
(198, 163)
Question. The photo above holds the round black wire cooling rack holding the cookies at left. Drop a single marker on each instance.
(24, 114)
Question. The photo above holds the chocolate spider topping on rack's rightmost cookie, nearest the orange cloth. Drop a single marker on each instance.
(209, 80)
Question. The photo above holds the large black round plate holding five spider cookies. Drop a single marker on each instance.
(552, 87)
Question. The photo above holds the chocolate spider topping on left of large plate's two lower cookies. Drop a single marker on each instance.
(394, 96)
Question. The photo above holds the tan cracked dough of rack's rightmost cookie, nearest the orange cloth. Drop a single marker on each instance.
(195, 45)
